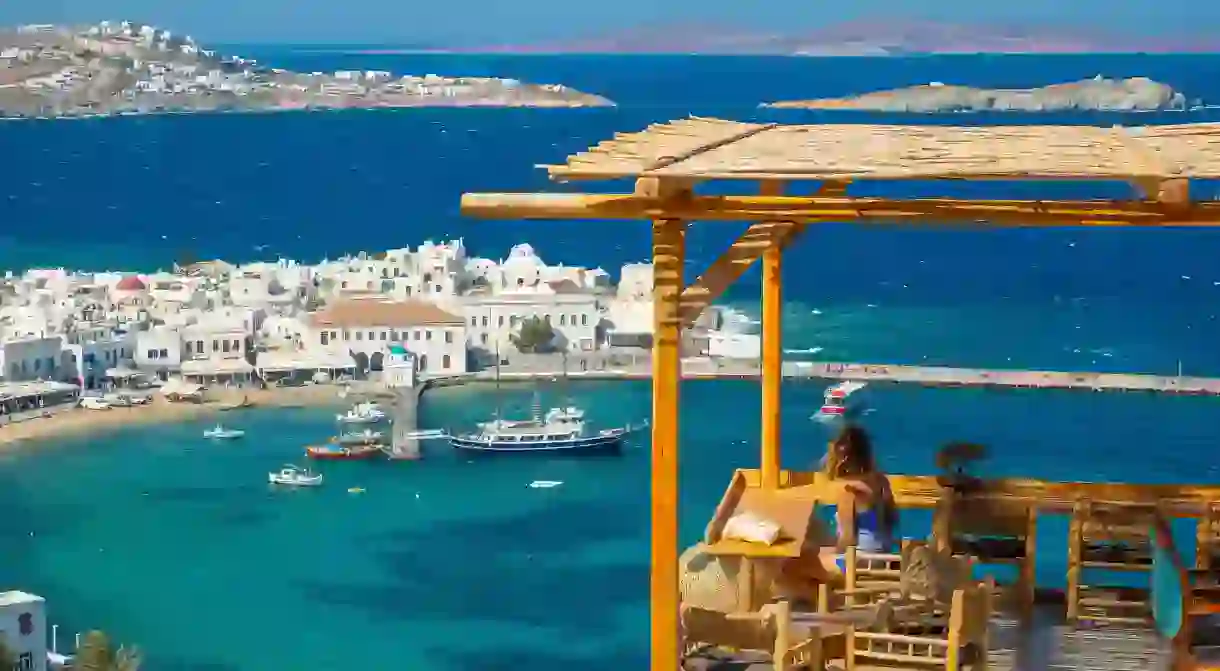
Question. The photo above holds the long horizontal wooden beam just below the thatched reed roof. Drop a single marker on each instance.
(825, 209)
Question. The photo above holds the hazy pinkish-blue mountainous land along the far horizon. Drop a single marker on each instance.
(867, 38)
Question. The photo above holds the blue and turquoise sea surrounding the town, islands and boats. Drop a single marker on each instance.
(176, 545)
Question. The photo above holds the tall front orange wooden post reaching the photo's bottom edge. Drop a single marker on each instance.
(669, 251)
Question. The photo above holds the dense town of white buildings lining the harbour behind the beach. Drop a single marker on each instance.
(285, 323)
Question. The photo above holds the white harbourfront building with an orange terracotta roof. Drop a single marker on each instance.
(367, 329)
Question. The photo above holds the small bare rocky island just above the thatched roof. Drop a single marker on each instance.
(1099, 95)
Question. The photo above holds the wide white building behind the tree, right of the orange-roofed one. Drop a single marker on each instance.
(493, 319)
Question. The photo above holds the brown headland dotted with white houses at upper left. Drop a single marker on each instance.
(126, 68)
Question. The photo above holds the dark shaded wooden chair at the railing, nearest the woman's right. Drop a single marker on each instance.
(994, 531)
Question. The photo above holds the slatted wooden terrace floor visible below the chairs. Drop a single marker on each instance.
(1046, 646)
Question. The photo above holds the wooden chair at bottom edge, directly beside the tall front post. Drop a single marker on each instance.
(769, 631)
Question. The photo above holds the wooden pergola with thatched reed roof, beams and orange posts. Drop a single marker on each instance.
(669, 160)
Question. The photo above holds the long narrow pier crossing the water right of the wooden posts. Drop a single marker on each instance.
(939, 376)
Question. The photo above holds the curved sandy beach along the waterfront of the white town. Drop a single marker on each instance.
(75, 422)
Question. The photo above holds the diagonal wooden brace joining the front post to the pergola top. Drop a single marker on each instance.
(730, 267)
